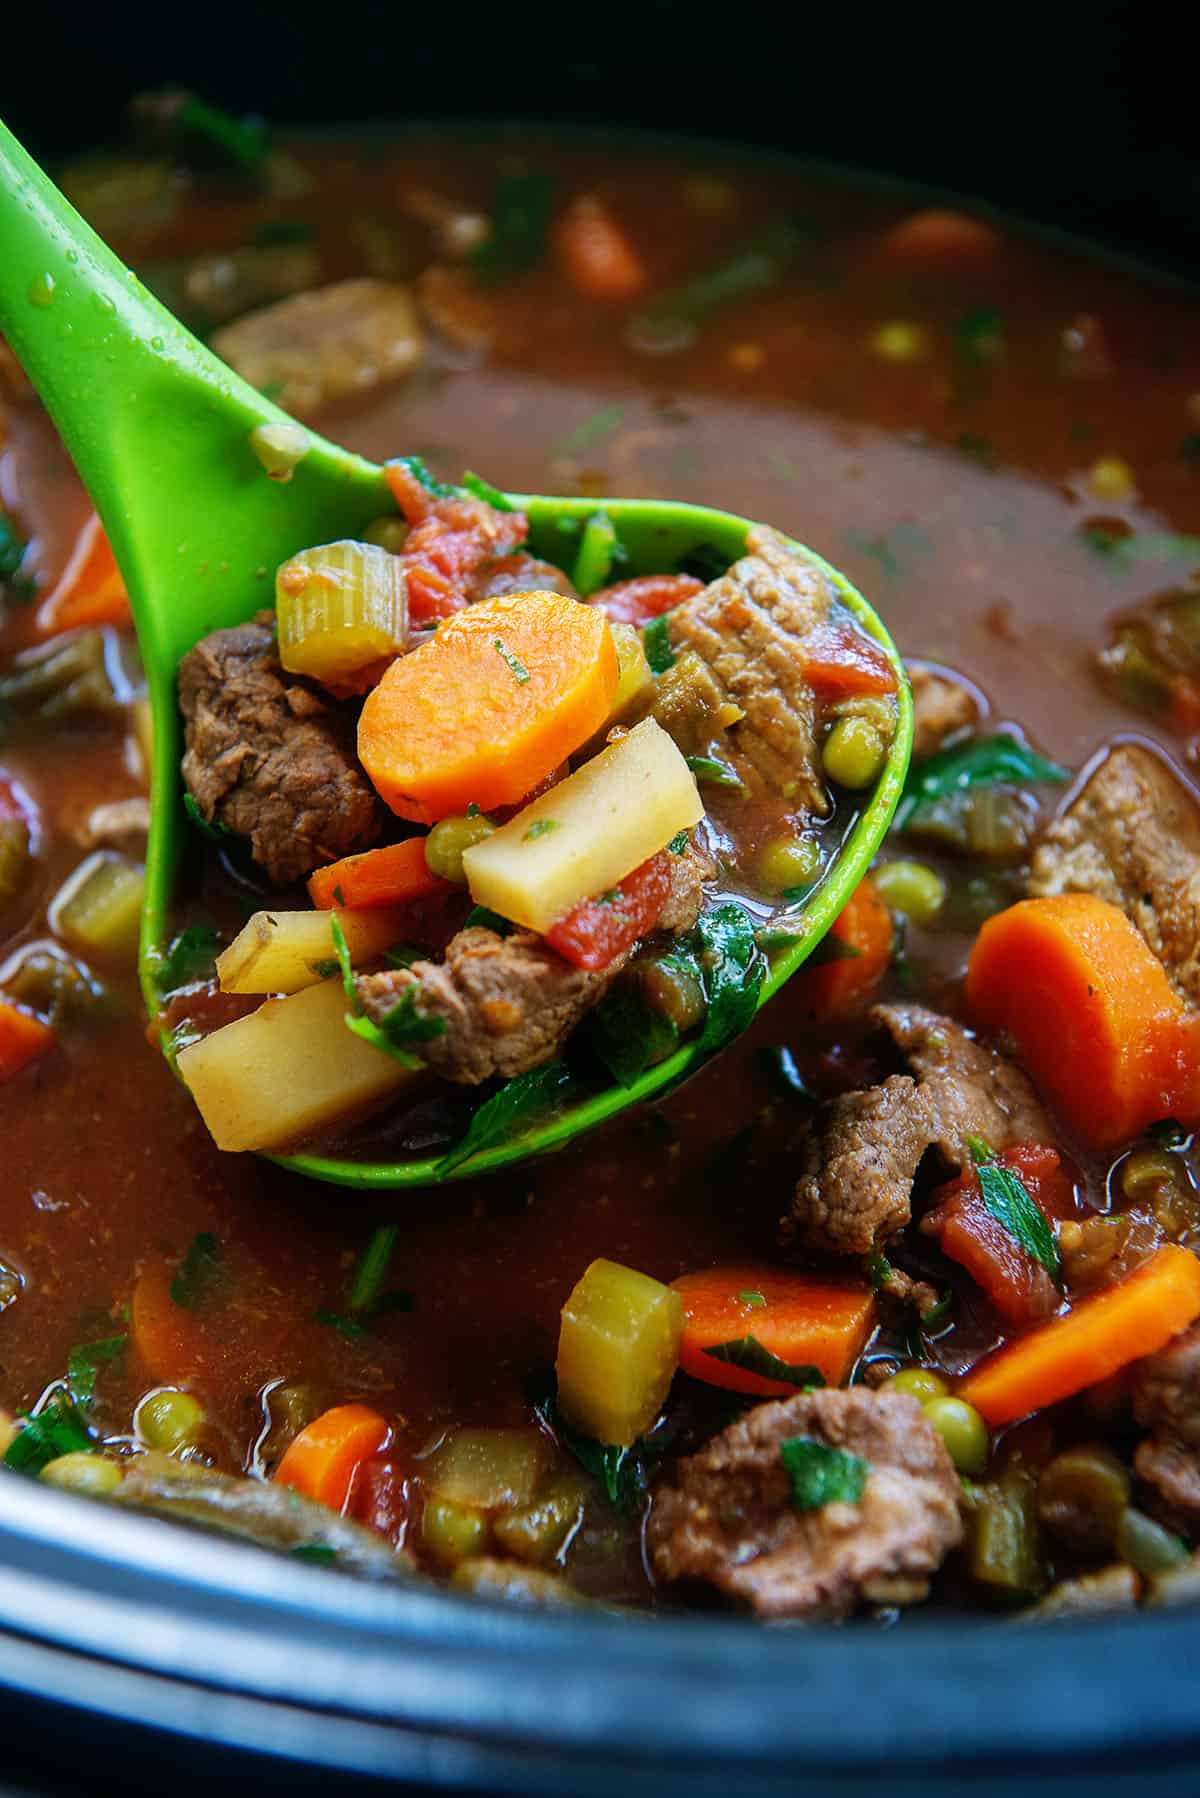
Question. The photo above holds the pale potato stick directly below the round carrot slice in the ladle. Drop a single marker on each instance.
(589, 832)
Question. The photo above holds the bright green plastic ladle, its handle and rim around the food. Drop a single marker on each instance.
(161, 434)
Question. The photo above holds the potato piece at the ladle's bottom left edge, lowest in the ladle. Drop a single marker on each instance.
(287, 1071)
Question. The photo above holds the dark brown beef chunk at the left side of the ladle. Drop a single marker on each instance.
(271, 760)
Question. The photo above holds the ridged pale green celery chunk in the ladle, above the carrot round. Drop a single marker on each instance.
(341, 607)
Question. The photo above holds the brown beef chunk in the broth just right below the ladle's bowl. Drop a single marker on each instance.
(864, 1150)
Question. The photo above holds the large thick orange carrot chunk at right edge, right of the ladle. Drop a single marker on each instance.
(1091, 1011)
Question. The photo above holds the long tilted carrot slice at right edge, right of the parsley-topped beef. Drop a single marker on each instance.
(1102, 1335)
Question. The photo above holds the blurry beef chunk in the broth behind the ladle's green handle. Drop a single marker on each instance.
(325, 346)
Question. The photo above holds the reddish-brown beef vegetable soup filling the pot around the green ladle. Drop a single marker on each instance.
(998, 440)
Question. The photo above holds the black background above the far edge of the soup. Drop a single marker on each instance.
(1080, 114)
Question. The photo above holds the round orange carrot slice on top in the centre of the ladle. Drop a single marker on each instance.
(490, 708)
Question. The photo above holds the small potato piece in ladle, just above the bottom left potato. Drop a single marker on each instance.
(282, 952)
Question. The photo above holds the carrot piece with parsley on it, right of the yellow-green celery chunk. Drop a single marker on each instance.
(798, 1317)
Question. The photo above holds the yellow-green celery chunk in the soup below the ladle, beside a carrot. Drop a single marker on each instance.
(618, 1351)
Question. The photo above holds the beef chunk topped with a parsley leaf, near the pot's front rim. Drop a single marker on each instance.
(730, 1517)
